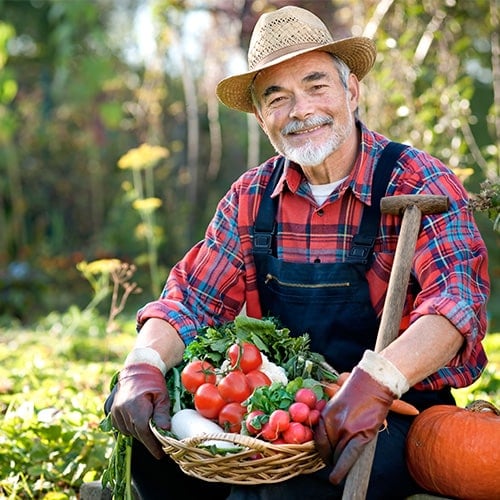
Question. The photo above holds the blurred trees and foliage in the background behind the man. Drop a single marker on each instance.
(83, 82)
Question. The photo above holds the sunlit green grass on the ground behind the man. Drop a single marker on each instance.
(54, 379)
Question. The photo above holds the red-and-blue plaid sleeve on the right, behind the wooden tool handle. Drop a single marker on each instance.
(449, 266)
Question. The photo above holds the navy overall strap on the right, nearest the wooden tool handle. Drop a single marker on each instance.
(362, 243)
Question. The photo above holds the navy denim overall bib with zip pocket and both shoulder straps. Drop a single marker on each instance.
(331, 302)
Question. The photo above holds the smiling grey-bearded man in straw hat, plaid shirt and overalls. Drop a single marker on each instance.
(301, 238)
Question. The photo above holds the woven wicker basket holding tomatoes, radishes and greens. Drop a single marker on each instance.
(254, 461)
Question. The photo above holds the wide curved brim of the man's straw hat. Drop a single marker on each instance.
(358, 53)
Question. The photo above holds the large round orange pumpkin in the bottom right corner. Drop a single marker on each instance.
(456, 451)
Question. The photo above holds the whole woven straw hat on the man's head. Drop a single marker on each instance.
(286, 33)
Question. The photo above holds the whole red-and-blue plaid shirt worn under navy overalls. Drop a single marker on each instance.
(217, 277)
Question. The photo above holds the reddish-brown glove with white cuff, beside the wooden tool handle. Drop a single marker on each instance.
(357, 412)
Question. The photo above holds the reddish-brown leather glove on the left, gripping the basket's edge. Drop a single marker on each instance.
(141, 394)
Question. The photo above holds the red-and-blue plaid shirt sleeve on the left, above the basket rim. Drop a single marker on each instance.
(216, 278)
